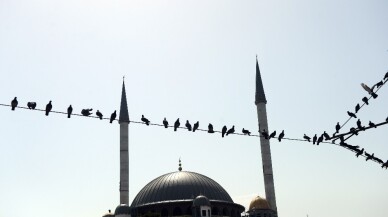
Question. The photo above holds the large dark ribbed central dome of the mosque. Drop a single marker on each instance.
(180, 186)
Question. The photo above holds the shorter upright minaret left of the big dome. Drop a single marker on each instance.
(124, 121)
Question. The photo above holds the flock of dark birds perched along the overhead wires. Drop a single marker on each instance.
(323, 138)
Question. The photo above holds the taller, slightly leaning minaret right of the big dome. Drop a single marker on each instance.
(261, 102)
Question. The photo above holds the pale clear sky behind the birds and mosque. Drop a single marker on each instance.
(194, 60)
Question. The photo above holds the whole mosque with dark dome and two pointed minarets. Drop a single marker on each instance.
(183, 193)
